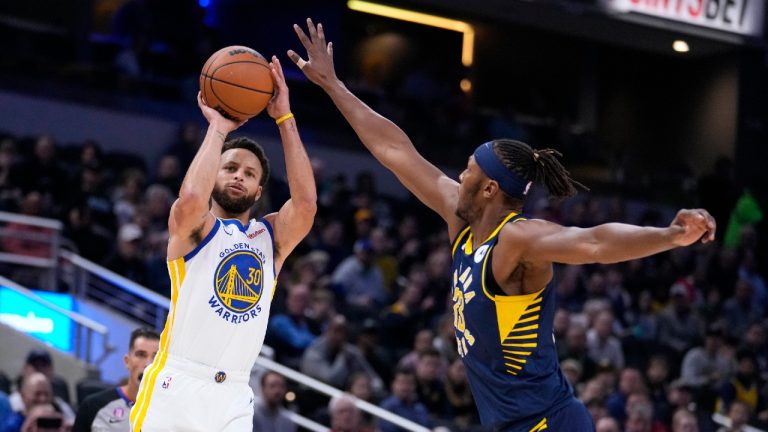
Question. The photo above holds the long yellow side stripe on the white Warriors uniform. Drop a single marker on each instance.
(177, 271)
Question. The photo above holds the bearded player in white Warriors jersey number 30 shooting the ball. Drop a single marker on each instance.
(223, 267)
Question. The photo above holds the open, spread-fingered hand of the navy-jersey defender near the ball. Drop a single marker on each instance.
(319, 66)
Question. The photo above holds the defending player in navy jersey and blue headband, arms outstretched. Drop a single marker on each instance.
(502, 263)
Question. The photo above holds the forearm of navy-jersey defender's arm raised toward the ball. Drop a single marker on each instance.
(378, 134)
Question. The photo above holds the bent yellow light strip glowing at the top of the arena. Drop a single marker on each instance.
(468, 43)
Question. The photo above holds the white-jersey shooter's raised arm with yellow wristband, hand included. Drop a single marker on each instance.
(295, 218)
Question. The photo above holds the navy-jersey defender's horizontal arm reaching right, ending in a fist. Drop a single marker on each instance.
(543, 241)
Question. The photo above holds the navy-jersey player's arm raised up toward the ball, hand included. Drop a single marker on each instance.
(387, 142)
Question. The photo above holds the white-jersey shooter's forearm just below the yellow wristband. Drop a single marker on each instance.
(301, 180)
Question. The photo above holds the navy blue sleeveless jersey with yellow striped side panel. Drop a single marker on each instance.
(506, 341)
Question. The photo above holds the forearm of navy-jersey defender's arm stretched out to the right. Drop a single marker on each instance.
(616, 242)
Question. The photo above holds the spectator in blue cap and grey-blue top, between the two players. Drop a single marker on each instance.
(361, 282)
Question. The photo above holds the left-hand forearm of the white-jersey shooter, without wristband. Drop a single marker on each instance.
(201, 175)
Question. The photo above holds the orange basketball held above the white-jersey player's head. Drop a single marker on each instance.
(236, 81)
